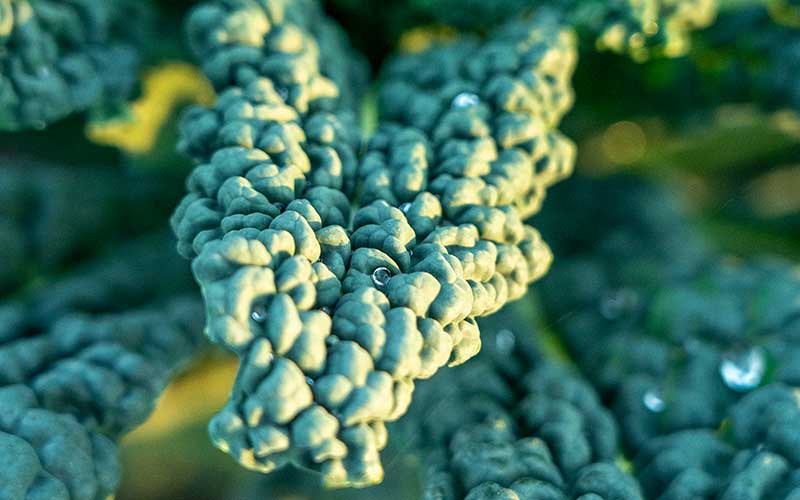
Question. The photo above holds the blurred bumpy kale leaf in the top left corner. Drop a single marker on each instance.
(59, 58)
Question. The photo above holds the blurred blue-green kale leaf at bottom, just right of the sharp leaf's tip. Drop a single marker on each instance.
(510, 424)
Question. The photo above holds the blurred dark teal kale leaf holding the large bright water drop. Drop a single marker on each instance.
(683, 337)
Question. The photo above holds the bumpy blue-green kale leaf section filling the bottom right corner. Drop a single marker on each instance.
(756, 459)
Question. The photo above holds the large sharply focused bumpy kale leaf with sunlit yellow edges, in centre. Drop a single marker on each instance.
(339, 277)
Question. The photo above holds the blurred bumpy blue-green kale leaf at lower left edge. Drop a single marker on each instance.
(77, 372)
